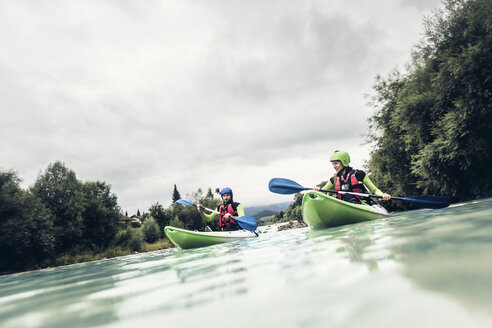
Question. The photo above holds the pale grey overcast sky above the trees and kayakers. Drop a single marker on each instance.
(145, 94)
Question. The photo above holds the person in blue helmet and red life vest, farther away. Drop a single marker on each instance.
(228, 209)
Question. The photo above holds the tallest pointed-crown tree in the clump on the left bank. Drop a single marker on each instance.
(61, 193)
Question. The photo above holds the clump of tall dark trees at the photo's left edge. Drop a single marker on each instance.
(58, 214)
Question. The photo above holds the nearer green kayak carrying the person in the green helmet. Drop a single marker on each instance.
(322, 211)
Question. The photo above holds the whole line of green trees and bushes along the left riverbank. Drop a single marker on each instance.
(61, 220)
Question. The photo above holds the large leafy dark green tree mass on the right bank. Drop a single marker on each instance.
(432, 128)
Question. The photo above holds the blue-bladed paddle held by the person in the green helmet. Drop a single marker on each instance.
(286, 186)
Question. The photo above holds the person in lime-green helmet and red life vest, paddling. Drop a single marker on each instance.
(348, 179)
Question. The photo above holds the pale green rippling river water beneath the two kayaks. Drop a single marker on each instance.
(422, 268)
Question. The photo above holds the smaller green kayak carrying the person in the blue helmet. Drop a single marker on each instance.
(193, 239)
